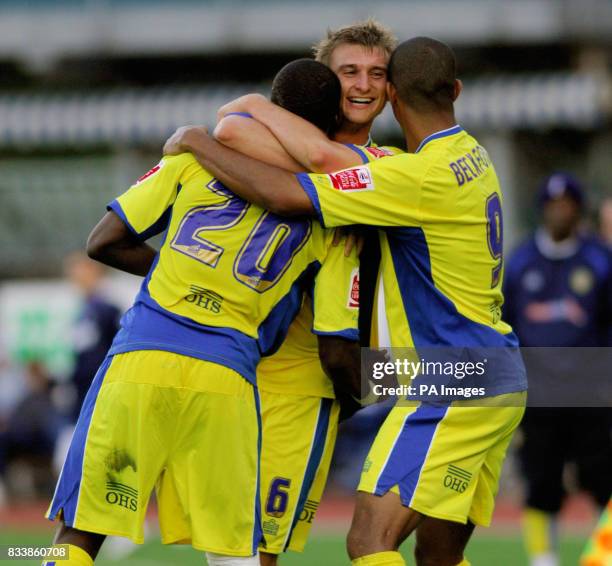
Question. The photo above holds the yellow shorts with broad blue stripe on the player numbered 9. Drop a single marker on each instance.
(444, 461)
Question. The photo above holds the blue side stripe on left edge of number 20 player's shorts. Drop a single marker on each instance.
(68, 485)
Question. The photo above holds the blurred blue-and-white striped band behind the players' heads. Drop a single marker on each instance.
(141, 116)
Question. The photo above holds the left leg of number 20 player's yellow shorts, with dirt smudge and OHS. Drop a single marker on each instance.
(119, 446)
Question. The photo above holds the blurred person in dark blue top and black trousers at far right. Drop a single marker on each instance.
(557, 293)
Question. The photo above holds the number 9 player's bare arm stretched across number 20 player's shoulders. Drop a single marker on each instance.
(272, 188)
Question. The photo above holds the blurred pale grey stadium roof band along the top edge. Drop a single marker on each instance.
(45, 31)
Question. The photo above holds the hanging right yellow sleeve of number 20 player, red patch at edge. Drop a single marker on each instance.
(336, 295)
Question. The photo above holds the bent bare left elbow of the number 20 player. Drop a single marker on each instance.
(111, 242)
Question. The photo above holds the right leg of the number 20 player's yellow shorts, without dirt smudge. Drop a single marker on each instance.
(208, 492)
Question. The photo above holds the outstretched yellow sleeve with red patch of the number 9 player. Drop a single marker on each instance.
(366, 194)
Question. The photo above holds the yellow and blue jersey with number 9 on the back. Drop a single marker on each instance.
(441, 213)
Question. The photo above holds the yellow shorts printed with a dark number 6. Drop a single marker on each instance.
(299, 433)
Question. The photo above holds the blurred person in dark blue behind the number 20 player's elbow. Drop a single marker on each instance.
(96, 324)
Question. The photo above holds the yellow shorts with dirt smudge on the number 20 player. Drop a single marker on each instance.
(187, 427)
